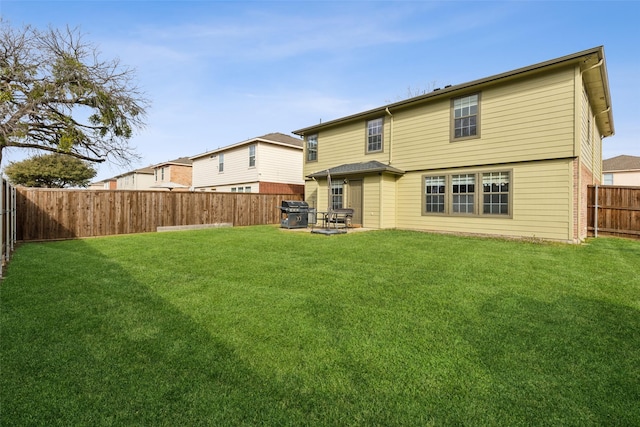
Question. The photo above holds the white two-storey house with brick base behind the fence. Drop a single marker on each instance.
(270, 164)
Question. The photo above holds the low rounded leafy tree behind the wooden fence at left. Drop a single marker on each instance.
(50, 170)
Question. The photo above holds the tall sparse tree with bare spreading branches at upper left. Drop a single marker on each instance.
(57, 95)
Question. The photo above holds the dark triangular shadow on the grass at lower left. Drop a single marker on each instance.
(101, 349)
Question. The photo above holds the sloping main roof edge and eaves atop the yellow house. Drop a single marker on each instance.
(592, 64)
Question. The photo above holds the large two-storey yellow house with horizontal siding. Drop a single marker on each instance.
(507, 155)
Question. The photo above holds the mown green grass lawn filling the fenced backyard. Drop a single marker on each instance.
(261, 326)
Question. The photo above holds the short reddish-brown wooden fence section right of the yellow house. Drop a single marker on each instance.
(613, 210)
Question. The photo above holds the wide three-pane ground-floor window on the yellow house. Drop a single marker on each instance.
(458, 194)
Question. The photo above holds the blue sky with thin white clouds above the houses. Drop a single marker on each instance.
(221, 72)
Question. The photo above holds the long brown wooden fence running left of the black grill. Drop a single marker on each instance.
(47, 214)
